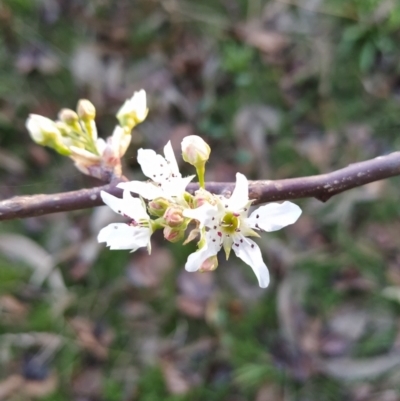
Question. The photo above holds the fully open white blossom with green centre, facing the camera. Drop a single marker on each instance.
(227, 224)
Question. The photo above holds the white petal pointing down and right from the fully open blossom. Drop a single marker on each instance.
(250, 253)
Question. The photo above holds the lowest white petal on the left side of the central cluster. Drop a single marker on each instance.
(123, 236)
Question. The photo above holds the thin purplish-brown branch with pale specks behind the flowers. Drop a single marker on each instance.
(322, 187)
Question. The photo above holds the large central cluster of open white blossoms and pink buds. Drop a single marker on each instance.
(218, 221)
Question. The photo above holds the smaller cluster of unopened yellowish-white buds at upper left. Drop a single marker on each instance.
(74, 134)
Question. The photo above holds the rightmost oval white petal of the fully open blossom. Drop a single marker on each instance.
(274, 216)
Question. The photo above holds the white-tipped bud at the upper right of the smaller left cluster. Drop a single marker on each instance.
(133, 111)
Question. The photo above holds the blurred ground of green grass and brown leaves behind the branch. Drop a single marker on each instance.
(278, 89)
